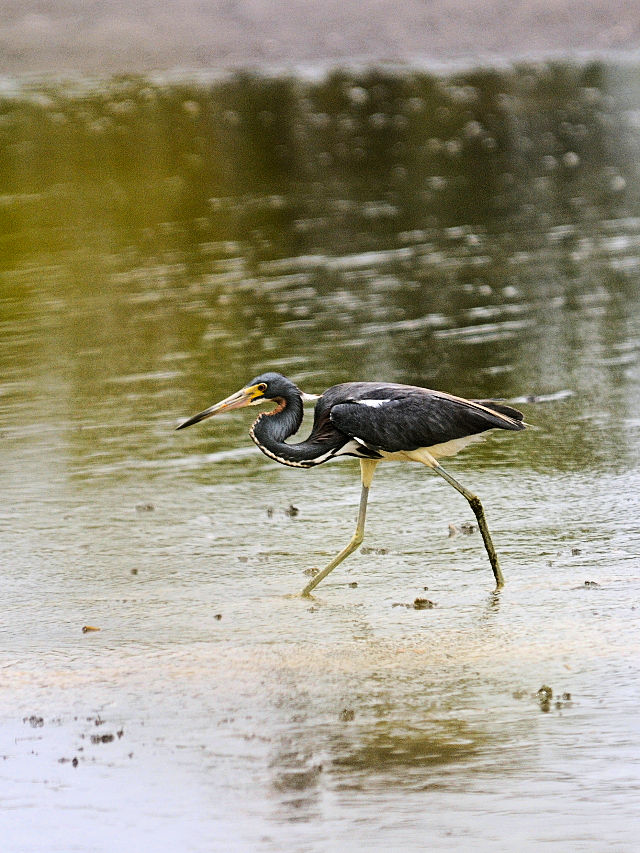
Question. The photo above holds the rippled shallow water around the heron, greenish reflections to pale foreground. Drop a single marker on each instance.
(162, 242)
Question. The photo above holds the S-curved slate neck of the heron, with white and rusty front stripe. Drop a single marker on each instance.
(272, 428)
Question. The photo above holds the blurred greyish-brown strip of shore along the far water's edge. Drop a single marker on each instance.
(114, 36)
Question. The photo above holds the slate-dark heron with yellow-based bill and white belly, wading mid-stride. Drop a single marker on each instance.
(372, 421)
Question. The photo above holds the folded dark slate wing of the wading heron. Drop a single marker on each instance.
(400, 417)
